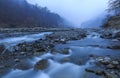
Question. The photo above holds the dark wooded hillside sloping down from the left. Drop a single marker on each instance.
(19, 13)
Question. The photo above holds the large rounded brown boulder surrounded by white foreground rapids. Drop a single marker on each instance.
(41, 65)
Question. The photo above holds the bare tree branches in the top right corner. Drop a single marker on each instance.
(114, 5)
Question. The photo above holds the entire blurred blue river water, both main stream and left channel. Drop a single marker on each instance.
(82, 54)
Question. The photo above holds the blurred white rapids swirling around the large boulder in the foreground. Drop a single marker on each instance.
(55, 70)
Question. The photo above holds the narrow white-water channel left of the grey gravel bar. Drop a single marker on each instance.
(26, 38)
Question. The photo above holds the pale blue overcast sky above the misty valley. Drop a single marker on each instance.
(76, 11)
